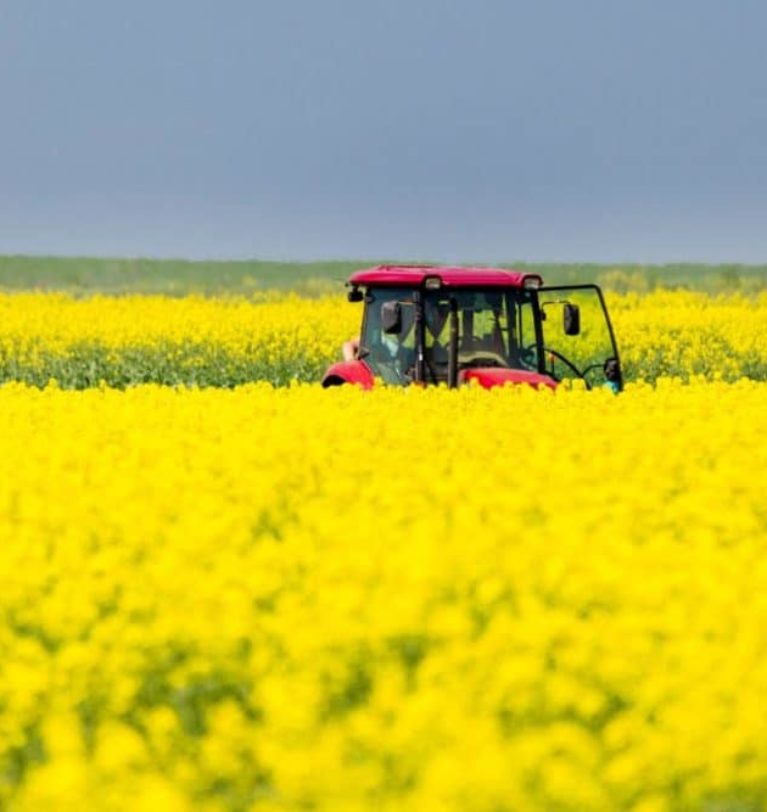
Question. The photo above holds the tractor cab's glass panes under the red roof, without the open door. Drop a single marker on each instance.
(496, 328)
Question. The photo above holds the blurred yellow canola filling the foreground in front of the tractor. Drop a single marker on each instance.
(407, 599)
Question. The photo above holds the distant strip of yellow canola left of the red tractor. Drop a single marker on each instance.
(160, 339)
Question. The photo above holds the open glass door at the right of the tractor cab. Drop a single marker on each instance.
(577, 336)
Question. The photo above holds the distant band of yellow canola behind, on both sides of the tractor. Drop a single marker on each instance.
(230, 341)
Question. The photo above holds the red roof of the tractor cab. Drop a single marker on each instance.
(412, 276)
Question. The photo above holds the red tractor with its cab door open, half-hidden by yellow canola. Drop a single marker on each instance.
(452, 325)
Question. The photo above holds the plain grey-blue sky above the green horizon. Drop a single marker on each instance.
(453, 130)
